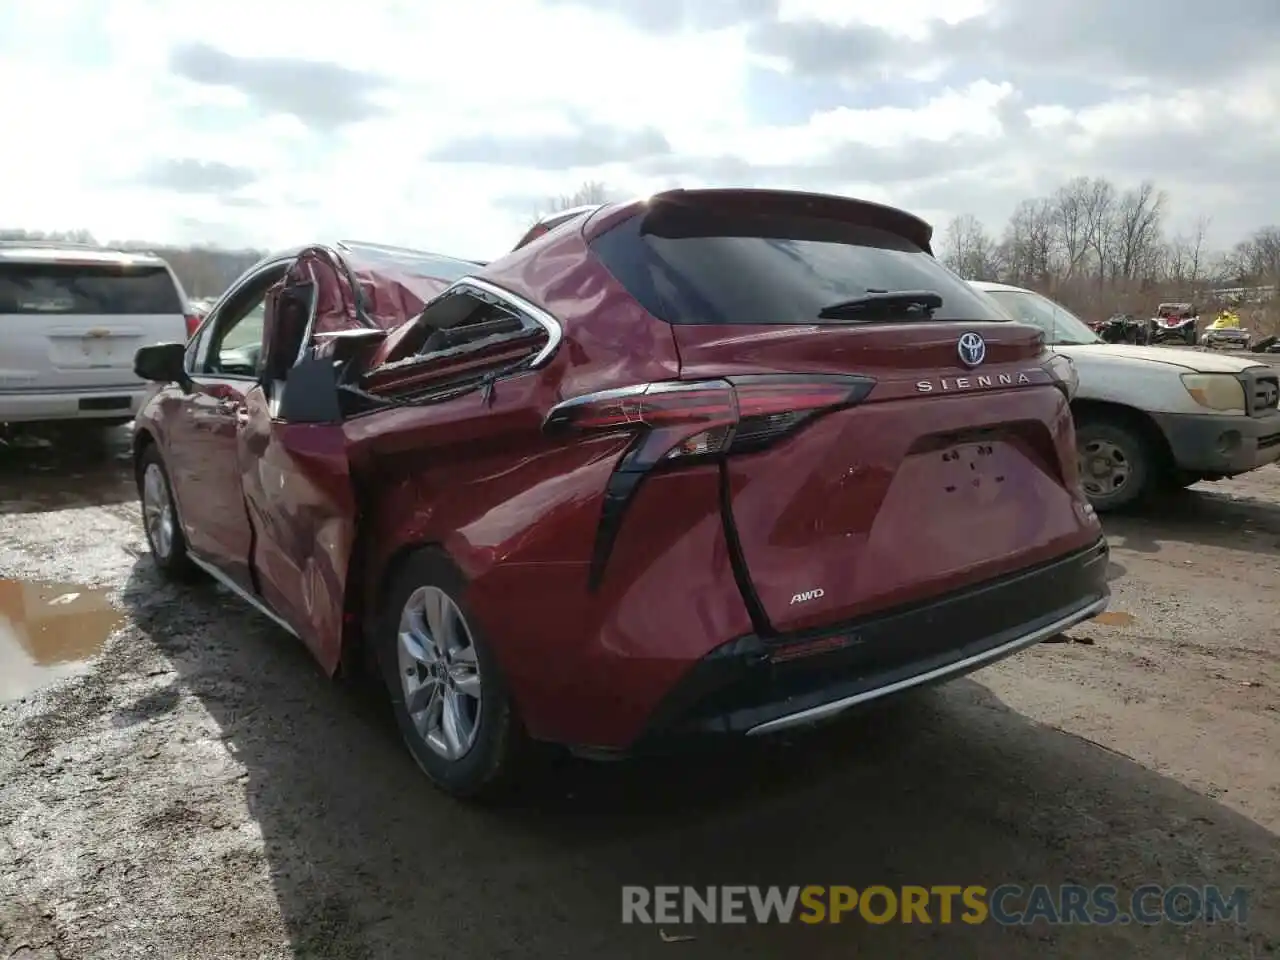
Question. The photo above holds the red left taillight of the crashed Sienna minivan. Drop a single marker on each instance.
(680, 424)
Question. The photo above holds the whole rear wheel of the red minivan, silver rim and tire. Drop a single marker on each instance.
(446, 688)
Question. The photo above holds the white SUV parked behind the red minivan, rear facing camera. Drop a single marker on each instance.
(72, 317)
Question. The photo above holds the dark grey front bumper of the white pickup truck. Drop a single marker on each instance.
(1209, 444)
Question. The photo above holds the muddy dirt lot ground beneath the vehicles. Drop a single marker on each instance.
(199, 790)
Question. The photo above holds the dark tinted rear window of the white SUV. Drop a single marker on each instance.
(92, 289)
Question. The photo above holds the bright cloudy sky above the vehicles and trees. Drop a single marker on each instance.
(445, 125)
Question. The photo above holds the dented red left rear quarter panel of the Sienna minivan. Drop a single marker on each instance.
(518, 511)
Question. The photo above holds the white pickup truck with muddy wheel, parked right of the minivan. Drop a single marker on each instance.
(1154, 417)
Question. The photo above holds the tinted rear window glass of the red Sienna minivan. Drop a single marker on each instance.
(700, 268)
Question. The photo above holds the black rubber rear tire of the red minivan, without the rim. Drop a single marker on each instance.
(501, 748)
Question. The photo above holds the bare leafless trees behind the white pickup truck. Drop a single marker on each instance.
(1101, 249)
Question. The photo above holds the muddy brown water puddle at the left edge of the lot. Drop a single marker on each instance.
(49, 632)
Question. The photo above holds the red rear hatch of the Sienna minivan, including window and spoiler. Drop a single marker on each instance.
(897, 438)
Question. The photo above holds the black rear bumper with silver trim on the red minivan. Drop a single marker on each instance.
(753, 687)
